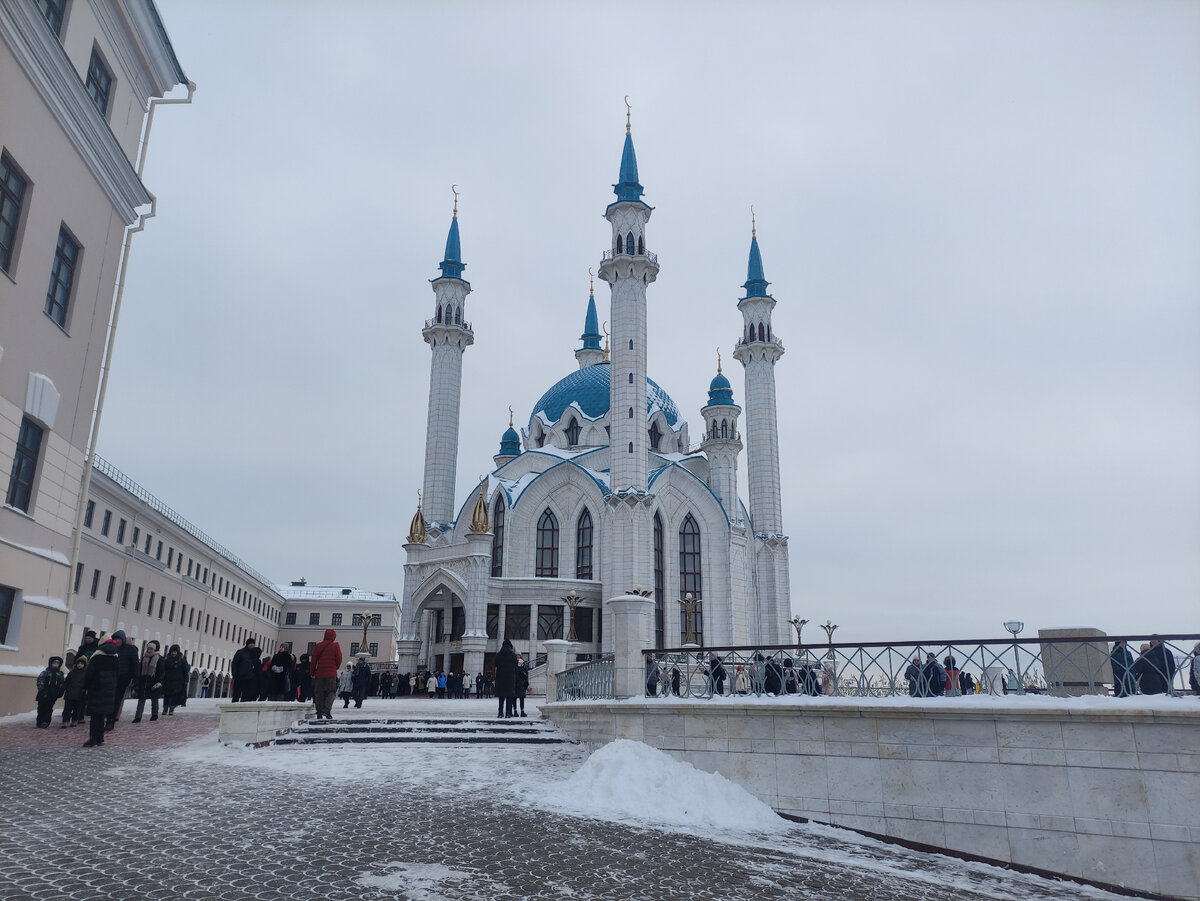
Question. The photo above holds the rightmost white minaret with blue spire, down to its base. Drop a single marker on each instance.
(758, 351)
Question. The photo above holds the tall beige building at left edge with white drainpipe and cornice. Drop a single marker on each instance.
(76, 85)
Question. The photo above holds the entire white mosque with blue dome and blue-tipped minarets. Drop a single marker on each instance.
(603, 491)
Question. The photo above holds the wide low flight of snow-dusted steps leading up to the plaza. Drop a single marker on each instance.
(428, 731)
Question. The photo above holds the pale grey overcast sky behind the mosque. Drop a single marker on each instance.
(981, 221)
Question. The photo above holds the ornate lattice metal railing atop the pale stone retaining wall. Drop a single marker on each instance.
(1055, 664)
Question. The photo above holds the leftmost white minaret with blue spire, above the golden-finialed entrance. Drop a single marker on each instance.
(448, 334)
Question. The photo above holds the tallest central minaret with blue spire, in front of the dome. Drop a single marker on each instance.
(628, 269)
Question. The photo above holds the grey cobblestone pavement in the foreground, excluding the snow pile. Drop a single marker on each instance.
(133, 822)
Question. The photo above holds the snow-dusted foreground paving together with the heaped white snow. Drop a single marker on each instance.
(431, 824)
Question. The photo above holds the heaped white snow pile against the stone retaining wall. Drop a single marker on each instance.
(632, 782)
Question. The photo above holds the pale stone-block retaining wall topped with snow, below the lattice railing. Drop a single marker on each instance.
(1105, 795)
